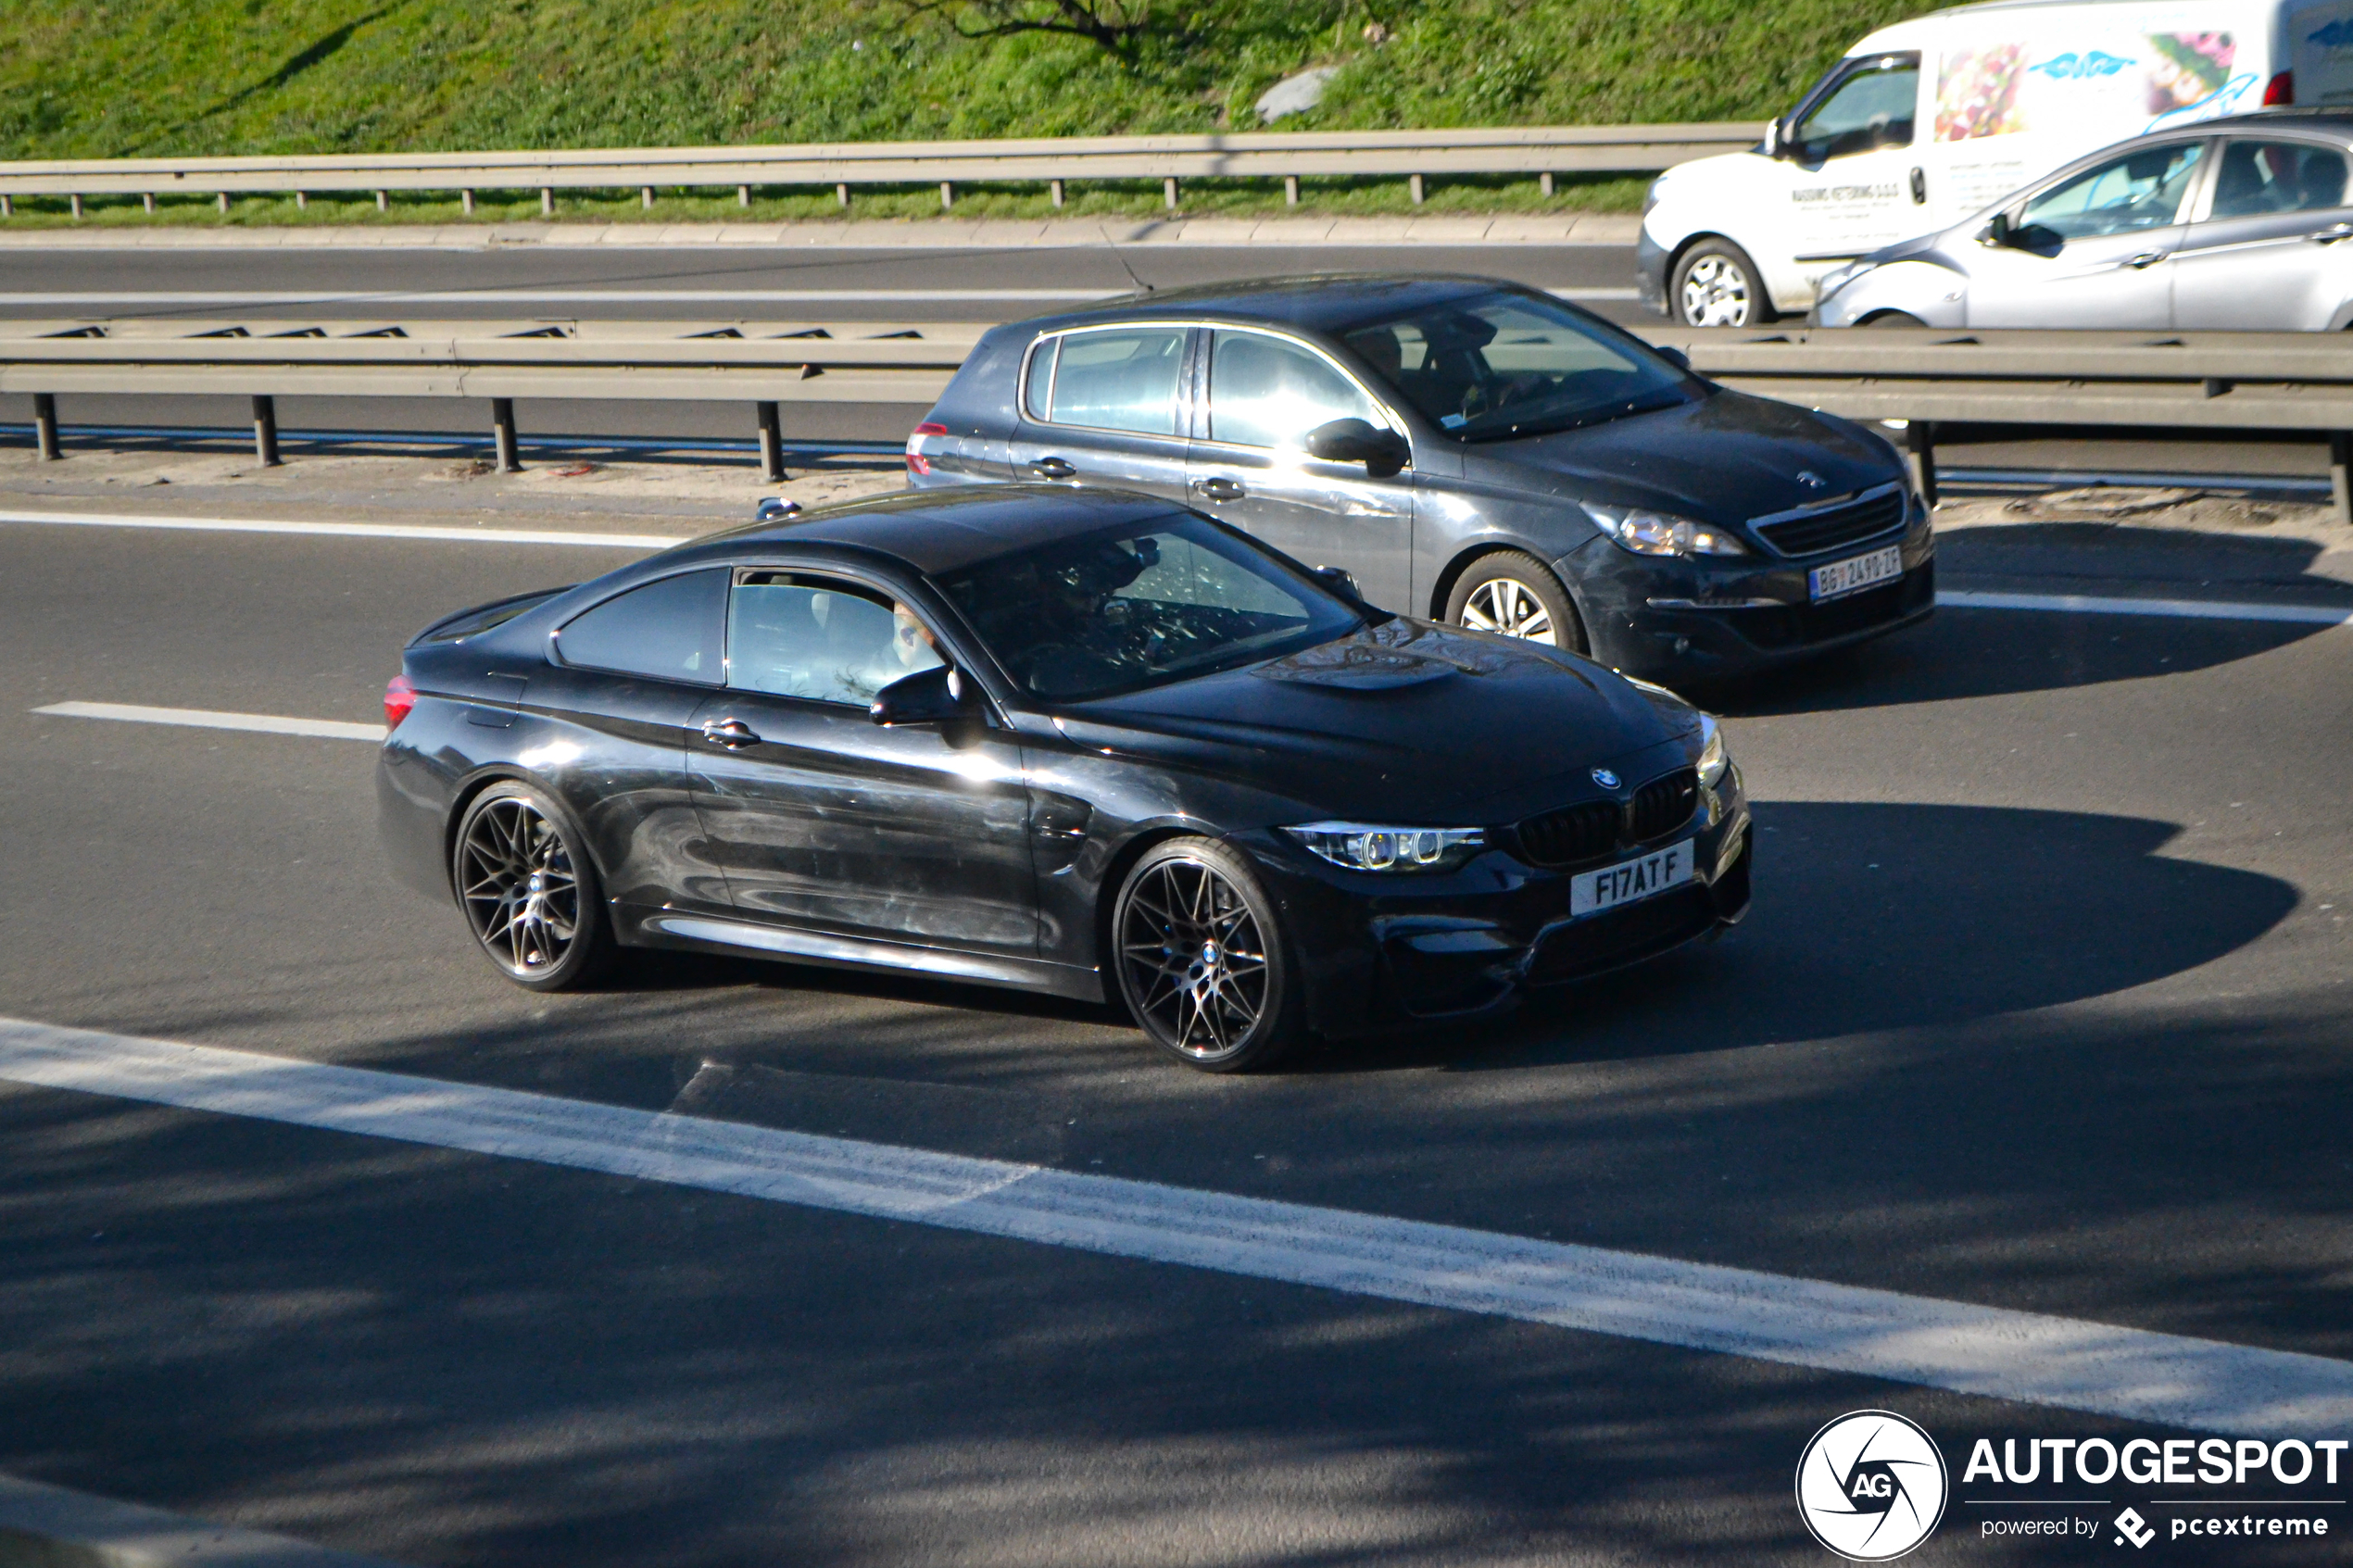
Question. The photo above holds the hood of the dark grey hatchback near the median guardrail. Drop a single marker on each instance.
(1724, 460)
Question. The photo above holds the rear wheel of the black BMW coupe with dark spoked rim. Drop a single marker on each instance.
(528, 890)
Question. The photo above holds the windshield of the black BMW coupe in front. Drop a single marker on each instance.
(1142, 605)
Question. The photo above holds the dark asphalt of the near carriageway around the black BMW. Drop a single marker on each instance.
(2044, 1005)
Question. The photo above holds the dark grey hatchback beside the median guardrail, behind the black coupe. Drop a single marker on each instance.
(1467, 450)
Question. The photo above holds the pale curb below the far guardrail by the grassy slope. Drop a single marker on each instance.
(905, 234)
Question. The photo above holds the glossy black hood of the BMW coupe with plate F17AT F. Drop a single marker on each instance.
(1404, 721)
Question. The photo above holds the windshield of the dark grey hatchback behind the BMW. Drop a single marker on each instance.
(1500, 366)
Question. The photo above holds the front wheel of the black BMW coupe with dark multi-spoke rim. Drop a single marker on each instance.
(1201, 963)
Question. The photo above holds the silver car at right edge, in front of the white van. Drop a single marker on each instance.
(2232, 227)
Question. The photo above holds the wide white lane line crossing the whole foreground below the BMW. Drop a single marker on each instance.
(1879, 1334)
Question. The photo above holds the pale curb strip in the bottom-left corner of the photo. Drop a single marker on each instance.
(48, 1527)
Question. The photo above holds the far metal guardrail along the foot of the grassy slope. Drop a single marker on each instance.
(1540, 149)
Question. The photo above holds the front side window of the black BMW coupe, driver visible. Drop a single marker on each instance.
(792, 634)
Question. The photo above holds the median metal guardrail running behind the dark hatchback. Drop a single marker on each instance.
(1940, 382)
